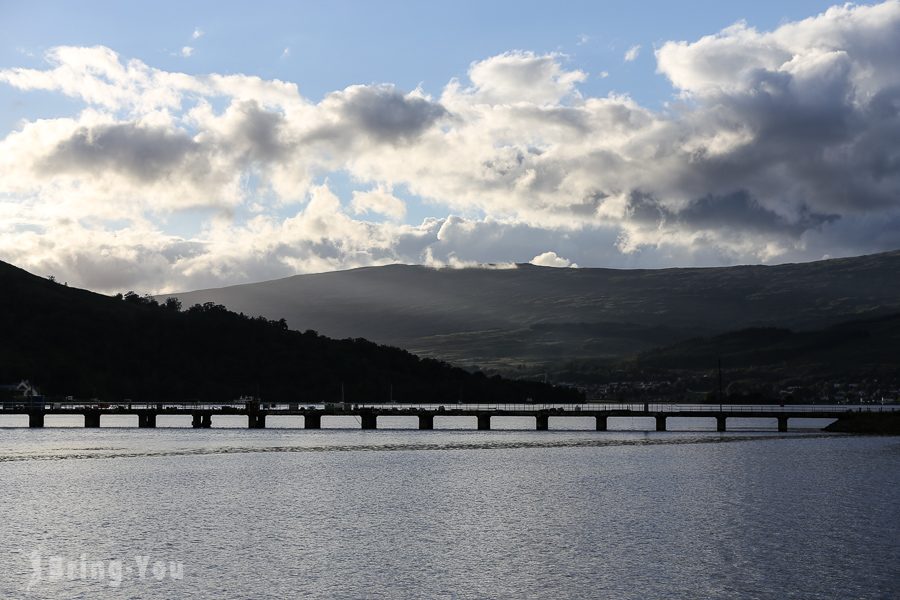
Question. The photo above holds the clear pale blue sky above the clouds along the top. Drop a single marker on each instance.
(336, 44)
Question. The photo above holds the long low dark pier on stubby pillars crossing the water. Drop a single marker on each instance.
(257, 413)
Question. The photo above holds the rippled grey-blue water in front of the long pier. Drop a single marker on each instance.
(449, 514)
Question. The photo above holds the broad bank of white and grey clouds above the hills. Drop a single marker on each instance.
(778, 145)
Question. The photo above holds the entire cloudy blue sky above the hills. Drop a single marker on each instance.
(167, 146)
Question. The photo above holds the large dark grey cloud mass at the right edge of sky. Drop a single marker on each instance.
(835, 155)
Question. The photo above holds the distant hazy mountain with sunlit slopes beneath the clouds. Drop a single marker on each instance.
(533, 317)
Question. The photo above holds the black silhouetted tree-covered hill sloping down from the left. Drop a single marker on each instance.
(74, 342)
